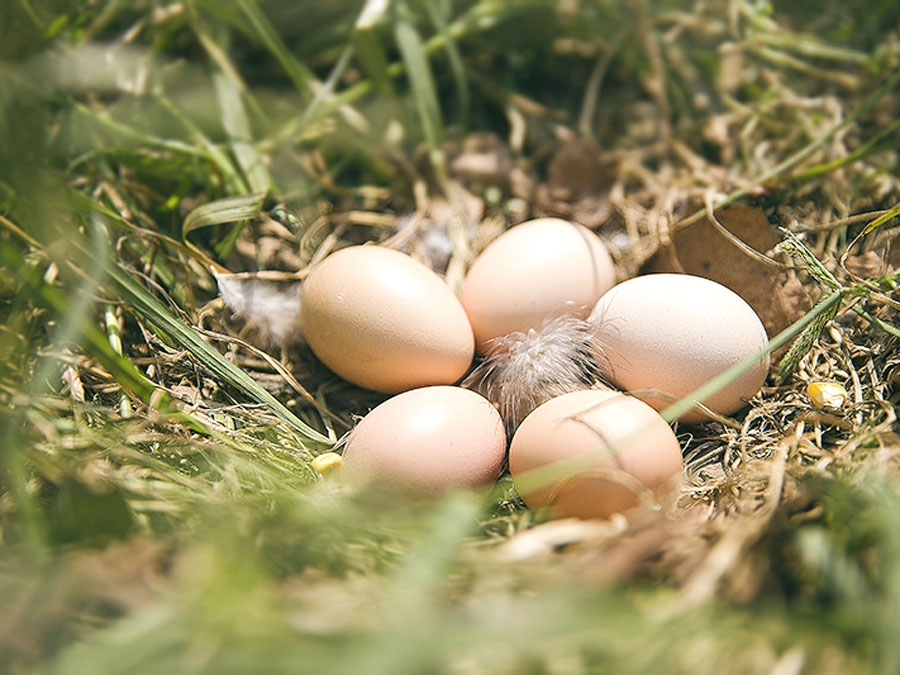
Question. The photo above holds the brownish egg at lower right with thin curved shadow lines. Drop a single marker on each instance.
(623, 448)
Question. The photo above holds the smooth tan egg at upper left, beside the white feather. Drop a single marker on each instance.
(384, 321)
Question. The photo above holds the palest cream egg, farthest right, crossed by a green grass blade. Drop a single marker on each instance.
(672, 333)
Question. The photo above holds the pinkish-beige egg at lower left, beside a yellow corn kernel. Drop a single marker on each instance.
(427, 440)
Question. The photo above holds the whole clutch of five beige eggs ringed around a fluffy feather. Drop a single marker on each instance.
(383, 321)
